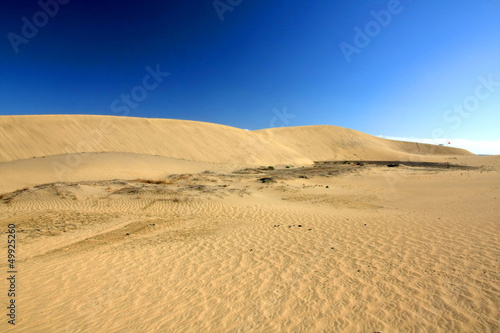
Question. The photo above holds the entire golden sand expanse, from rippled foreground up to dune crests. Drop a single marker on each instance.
(212, 240)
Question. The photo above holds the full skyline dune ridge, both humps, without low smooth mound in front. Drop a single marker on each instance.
(24, 137)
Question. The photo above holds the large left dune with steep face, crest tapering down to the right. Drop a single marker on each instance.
(25, 137)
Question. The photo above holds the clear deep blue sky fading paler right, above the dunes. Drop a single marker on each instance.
(424, 69)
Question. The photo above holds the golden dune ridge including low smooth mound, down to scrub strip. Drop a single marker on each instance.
(51, 148)
